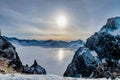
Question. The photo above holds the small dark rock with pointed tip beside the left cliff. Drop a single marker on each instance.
(34, 69)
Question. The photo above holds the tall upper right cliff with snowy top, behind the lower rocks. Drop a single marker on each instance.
(106, 42)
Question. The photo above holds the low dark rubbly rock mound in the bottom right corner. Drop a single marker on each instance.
(109, 69)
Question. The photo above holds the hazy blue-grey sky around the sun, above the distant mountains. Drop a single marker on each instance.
(36, 19)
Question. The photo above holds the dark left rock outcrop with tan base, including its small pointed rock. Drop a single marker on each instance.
(11, 63)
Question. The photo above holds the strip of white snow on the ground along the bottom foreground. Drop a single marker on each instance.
(39, 77)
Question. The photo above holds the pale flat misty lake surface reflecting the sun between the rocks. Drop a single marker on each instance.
(54, 60)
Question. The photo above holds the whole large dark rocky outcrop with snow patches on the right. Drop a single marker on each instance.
(106, 43)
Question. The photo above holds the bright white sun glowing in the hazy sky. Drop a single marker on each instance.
(61, 21)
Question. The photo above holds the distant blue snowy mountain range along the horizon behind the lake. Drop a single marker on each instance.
(47, 43)
